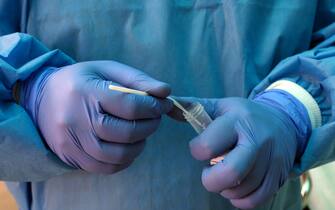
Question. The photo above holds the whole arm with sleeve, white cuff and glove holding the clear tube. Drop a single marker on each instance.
(285, 126)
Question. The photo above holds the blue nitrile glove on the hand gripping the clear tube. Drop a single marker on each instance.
(262, 138)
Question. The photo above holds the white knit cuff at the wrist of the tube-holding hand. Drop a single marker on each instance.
(303, 96)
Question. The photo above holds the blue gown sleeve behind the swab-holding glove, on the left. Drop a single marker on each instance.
(22, 151)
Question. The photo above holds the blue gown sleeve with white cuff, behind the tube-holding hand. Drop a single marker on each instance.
(314, 71)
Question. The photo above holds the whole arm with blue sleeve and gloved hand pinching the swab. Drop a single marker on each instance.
(85, 124)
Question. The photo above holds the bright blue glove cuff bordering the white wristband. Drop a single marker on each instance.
(291, 107)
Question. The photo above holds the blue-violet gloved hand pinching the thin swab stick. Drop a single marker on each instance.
(89, 126)
